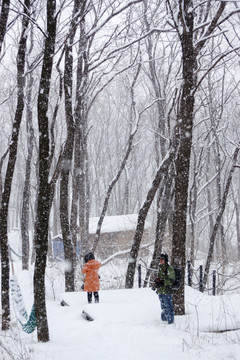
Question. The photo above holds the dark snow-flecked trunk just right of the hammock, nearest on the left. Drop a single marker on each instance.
(44, 187)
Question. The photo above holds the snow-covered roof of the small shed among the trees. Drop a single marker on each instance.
(115, 223)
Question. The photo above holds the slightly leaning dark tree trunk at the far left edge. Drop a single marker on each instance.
(10, 169)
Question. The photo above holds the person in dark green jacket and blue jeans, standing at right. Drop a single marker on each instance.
(166, 277)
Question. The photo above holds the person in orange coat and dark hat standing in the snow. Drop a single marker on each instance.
(91, 282)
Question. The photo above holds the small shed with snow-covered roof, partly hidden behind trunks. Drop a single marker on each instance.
(117, 233)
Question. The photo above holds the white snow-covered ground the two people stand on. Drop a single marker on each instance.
(127, 326)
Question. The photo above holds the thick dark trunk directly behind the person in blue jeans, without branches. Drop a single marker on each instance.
(185, 122)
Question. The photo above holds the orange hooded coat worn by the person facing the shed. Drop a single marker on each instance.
(91, 283)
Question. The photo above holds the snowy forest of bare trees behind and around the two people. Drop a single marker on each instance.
(118, 107)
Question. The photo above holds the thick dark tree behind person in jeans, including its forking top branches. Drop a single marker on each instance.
(184, 24)
